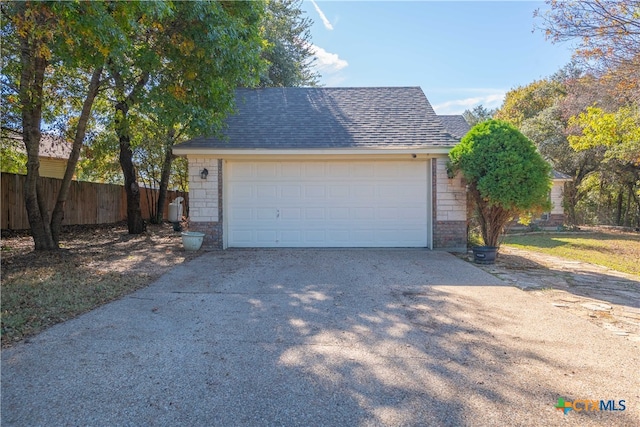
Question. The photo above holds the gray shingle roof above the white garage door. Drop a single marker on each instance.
(317, 118)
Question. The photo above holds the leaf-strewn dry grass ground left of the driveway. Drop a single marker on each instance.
(95, 266)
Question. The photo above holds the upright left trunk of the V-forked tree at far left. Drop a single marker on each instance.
(31, 88)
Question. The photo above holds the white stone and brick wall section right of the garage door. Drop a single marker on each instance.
(449, 208)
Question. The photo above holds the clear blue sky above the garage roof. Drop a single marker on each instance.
(461, 53)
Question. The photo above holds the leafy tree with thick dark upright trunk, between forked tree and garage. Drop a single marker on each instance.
(180, 69)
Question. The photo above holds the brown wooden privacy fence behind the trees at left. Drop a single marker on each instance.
(88, 202)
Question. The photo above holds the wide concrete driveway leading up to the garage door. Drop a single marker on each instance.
(322, 337)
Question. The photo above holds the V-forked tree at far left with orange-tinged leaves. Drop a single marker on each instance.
(38, 36)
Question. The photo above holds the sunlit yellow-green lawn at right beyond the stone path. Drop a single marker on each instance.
(618, 251)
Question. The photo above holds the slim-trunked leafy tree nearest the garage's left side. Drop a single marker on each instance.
(211, 48)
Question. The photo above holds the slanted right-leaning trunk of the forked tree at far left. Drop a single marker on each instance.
(81, 129)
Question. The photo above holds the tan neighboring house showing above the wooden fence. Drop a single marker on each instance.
(54, 153)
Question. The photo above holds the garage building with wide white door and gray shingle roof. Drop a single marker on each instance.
(327, 167)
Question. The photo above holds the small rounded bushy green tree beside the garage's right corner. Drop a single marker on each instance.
(505, 175)
